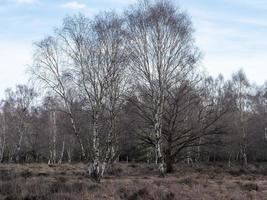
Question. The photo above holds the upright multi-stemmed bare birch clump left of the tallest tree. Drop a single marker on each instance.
(97, 54)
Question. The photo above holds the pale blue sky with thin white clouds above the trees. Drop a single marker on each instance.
(231, 34)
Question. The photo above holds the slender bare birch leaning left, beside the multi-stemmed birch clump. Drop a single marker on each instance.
(49, 68)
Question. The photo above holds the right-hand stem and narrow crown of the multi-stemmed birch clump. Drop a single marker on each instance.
(111, 37)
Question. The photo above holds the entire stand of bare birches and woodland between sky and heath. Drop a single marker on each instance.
(129, 87)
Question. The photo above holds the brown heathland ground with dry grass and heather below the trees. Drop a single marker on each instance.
(132, 182)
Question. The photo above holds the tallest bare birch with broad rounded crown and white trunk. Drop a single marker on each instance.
(162, 50)
